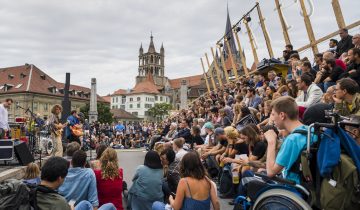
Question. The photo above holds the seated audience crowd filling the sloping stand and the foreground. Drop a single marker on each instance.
(254, 124)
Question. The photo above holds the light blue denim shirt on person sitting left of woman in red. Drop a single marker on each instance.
(79, 185)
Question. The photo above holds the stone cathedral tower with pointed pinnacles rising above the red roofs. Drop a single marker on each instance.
(153, 63)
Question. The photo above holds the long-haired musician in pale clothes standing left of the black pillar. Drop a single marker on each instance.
(56, 130)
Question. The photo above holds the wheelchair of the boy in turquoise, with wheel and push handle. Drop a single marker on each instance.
(277, 193)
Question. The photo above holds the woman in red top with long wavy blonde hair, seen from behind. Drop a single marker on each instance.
(109, 179)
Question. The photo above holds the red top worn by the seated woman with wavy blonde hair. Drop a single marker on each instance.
(110, 191)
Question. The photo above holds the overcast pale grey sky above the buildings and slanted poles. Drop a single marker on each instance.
(101, 38)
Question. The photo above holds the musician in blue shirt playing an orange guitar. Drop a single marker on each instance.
(74, 129)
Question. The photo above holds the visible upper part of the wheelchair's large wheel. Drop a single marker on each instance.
(280, 199)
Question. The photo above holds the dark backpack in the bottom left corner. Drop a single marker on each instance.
(16, 195)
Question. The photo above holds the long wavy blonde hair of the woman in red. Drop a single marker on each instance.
(109, 164)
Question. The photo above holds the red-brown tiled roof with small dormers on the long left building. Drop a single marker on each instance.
(29, 78)
